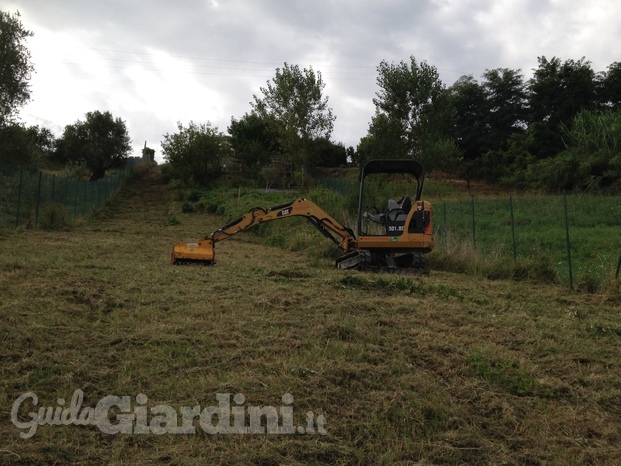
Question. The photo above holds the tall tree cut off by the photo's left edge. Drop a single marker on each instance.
(15, 66)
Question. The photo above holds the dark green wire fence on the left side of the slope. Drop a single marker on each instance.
(27, 195)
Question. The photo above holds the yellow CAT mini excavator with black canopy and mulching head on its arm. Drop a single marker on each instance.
(398, 239)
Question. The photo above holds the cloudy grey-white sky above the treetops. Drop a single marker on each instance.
(154, 63)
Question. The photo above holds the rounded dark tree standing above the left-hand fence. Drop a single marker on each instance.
(100, 142)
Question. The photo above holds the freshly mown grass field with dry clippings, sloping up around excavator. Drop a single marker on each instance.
(445, 369)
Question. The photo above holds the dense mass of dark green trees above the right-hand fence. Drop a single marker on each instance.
(532, 135)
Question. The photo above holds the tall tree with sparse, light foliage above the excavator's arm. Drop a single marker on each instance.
(294, 101)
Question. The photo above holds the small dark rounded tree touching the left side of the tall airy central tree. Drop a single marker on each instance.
(255, 140)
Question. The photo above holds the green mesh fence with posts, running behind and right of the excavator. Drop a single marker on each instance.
(579, 233)
